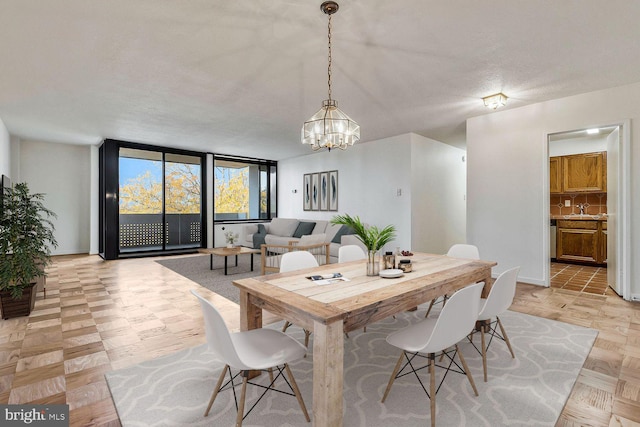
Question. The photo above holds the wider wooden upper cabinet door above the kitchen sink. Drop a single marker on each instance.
(584, 173)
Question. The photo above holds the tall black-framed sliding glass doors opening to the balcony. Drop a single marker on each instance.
(152, 199)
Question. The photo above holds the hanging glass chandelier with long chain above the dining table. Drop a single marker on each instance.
(330, 127)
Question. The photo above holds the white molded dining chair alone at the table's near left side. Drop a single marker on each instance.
(257, 349)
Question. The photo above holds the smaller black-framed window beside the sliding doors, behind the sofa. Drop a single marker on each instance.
(244, 189)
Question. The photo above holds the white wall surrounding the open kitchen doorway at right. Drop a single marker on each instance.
(507, 153)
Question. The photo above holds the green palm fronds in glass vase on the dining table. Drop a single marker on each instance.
(372, 237)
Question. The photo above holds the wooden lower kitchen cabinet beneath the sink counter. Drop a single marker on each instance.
(581, 241)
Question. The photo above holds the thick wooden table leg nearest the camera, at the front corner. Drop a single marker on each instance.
(328, 349)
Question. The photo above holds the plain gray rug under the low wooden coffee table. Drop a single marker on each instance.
(197, 268)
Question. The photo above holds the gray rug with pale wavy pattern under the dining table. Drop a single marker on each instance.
(529, 390)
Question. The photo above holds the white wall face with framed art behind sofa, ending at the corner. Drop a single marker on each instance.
(369, 175)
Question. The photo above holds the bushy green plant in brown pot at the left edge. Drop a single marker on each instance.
(26, 236)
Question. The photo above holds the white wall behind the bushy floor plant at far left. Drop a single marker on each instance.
(63, 173)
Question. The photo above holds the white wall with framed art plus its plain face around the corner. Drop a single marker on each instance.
(430, 212)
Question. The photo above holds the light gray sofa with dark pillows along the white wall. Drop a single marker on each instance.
(281, 231)
